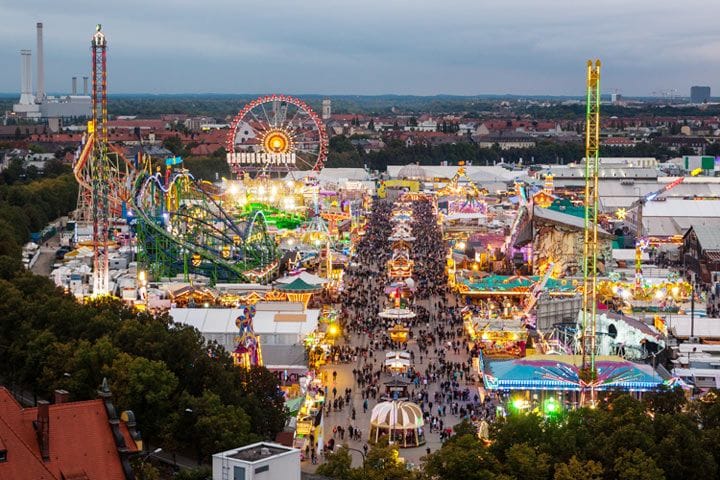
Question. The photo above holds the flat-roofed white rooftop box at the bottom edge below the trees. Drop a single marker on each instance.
(259, 461)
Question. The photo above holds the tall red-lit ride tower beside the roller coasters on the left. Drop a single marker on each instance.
(99, 168)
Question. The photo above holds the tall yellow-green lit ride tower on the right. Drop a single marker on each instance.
(590, 240)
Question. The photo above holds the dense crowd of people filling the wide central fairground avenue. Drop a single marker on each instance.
(440, 378)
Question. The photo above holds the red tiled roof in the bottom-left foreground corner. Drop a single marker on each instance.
(81, 442)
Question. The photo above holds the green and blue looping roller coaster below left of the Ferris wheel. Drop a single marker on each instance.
(181, 228)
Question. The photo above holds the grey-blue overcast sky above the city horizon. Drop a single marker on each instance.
(419, 47)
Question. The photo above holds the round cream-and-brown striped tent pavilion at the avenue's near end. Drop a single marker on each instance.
(401, 421)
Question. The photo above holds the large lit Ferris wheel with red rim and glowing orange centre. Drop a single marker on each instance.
(276, 133)
